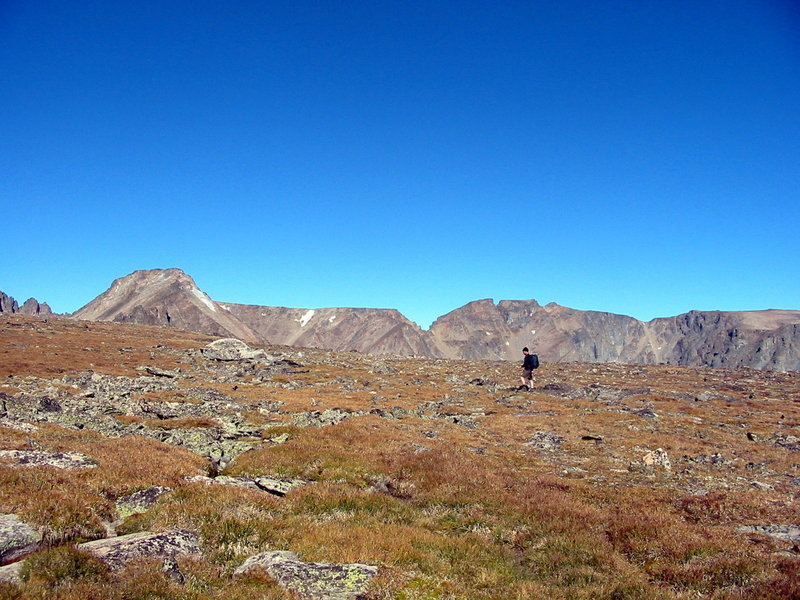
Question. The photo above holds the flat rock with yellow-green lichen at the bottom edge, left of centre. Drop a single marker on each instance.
(315, 581)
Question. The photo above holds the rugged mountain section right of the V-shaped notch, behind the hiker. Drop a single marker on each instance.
(767, 339)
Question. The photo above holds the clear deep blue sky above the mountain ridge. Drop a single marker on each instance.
(639, 157)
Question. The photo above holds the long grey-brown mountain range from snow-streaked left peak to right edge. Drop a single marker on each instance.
(768, 339)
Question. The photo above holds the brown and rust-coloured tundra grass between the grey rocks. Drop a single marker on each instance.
(447, 511)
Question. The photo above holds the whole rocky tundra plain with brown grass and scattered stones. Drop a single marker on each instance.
(141, 462)
